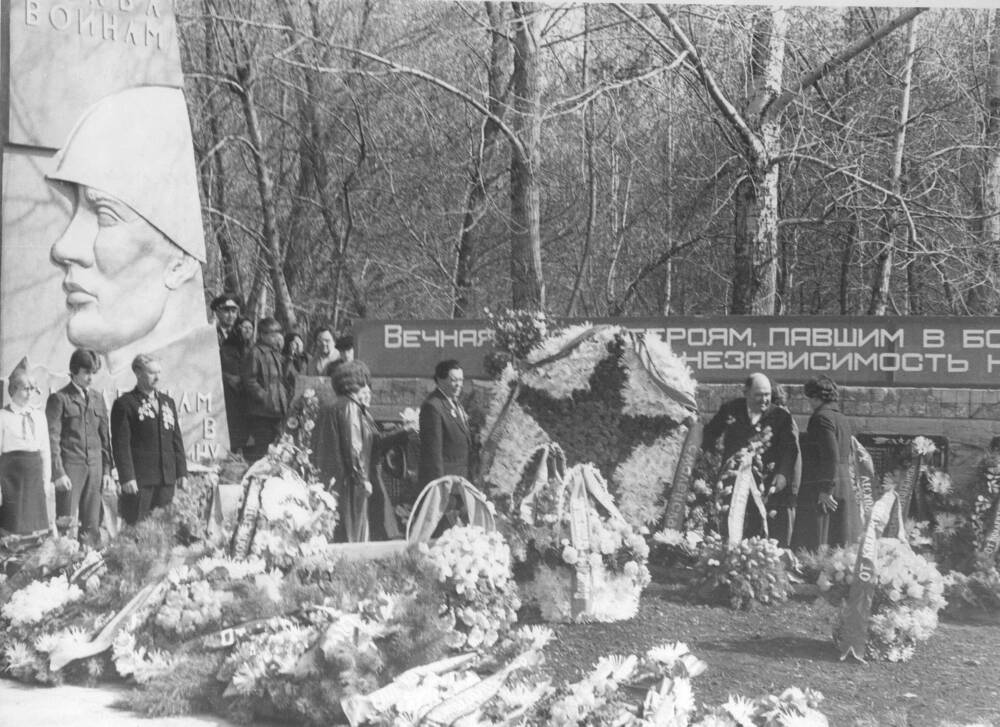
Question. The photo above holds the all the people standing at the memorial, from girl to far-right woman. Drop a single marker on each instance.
(60, 463)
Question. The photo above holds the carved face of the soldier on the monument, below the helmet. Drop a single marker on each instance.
(115, 267)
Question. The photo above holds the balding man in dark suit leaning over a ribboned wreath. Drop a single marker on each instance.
(755, 415)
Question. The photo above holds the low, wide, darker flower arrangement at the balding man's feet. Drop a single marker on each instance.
(742, 573)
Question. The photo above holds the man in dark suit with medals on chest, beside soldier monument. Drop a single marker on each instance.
(147, 444)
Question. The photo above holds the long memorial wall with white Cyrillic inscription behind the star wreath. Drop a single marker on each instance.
(900, 377)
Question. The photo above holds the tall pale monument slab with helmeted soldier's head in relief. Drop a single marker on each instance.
(102, 241)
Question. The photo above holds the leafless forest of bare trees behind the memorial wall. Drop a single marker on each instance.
(391, 158)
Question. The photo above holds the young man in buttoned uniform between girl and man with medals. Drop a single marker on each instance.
(81, 446)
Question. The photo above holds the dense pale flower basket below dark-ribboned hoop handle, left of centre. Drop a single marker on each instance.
(474, 566)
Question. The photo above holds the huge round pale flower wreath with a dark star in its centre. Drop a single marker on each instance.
(609, 396)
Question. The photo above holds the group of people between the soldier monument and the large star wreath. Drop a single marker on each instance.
(348, 445)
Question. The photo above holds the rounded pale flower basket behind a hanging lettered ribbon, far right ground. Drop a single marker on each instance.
(909, 593)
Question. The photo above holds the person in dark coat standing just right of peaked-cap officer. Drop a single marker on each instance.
(264, 385)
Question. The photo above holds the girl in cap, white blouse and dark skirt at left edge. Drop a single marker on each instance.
(25, 460)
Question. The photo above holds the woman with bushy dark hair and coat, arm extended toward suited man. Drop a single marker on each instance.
(347, 444)
